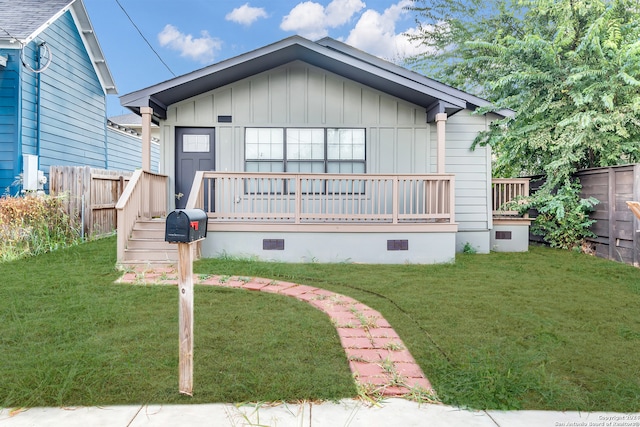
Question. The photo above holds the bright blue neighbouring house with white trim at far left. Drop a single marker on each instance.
(53, 85)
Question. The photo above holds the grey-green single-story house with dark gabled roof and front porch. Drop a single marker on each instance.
(317, 151)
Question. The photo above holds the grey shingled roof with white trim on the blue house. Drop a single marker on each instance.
(21, 21)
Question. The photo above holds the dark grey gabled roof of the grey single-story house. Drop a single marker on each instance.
(328, 54)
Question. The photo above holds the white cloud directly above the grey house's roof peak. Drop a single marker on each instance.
(312, 20)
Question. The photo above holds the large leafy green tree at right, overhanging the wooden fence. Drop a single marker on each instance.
(569, 68)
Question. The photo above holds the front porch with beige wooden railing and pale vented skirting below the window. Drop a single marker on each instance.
(328, 217)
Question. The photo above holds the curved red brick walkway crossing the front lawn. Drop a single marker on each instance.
(380, 363)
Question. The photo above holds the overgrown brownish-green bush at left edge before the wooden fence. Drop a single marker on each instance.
(33, 225)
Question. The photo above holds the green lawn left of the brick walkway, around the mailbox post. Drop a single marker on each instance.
(69, 336)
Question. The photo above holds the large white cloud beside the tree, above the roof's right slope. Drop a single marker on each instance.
(375, 33)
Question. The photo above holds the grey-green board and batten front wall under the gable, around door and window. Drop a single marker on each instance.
(299, 94)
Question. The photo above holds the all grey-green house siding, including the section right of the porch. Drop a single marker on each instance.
(301, 95)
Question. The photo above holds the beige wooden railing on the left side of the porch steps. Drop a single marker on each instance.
(145, 196)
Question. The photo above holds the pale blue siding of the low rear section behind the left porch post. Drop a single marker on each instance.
(125, 152)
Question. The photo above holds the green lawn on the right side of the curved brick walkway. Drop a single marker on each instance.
(548, 329)
